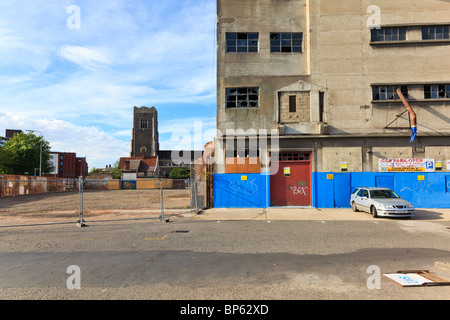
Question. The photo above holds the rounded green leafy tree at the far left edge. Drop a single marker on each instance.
(22, 155)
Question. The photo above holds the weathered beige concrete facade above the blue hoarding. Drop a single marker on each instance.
(334, 98)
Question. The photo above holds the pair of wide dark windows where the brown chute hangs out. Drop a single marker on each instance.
(435, 91)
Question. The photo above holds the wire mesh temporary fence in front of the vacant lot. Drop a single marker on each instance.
(150, 198)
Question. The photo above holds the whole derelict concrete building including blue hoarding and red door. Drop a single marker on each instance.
(323, 75)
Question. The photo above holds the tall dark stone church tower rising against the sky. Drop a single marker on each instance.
(144, 137)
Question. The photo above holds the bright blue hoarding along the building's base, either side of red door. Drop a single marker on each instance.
(332, 190)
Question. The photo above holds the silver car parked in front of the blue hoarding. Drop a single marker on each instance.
(380, 202)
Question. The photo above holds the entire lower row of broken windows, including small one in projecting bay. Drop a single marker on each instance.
(248, 97)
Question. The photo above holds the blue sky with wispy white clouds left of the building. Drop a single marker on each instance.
(72, 70)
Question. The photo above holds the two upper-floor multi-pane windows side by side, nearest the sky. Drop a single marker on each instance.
(279, 42)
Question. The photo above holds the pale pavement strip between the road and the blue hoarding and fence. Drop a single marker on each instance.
(218, 214)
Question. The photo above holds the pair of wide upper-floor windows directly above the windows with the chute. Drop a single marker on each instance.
(399, 33)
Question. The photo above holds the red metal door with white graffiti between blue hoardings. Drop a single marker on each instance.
(291, 185)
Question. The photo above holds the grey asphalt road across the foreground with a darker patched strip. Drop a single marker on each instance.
(216, 260)
